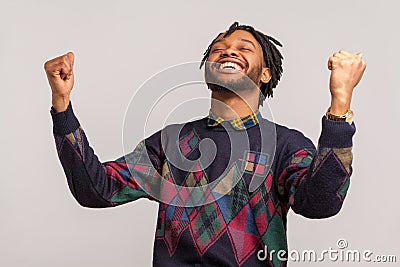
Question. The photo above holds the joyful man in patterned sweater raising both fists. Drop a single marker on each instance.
(223, 211)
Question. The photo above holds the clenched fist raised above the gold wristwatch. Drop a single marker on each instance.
(346, 72)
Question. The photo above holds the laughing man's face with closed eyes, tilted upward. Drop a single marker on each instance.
(235, 63)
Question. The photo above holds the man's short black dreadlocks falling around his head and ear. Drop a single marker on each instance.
(272, 56)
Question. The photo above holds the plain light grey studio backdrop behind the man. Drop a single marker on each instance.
(120, 44)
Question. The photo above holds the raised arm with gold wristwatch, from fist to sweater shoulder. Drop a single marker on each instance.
(315, 182)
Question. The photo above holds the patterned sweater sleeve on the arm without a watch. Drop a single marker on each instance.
(92, 183)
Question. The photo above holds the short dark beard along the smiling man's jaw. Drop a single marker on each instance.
(239, 82)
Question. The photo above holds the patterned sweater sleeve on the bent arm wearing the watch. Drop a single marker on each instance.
(315, 181)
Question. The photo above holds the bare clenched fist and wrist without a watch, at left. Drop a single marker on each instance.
(60, 74)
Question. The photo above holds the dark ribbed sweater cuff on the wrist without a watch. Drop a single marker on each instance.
(64, 122)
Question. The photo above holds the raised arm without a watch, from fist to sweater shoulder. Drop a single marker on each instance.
(92, 183)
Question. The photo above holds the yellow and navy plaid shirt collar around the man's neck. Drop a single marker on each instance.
(239, 123)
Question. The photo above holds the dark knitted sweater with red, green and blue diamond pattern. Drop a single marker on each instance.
(227, 224)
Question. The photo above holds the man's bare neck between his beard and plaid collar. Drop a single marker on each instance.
(231, 105)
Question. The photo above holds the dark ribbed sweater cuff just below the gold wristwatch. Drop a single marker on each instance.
(336, 134)
